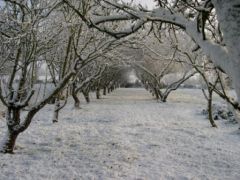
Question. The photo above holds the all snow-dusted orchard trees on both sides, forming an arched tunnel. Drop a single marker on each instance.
(82, 46)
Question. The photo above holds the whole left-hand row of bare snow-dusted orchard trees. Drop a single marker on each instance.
(49, 35)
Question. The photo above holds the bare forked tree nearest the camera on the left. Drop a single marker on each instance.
(33, 31)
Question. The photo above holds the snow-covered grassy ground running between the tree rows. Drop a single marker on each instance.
(126, 135)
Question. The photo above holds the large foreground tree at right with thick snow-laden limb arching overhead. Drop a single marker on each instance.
(213, 26)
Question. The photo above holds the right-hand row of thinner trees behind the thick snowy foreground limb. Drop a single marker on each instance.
(169, 63)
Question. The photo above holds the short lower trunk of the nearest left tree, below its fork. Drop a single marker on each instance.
(8, 144)
